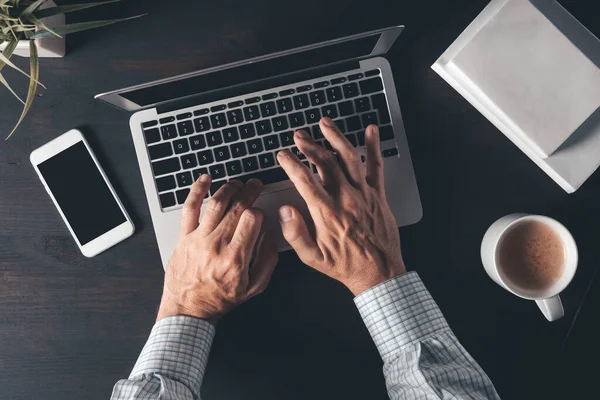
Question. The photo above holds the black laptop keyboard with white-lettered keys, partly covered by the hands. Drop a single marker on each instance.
(240, 139)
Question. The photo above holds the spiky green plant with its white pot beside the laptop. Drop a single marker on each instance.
(26, 26)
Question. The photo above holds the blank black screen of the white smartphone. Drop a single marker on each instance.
(81, 193)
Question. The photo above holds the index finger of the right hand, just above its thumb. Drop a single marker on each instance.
(303, 179)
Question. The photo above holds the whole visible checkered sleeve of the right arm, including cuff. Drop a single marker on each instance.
(422, 357)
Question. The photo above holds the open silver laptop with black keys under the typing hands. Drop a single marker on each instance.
(229, 121)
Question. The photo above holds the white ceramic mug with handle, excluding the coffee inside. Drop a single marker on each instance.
(548, 299)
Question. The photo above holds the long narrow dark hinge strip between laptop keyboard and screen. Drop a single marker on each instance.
(256, 86)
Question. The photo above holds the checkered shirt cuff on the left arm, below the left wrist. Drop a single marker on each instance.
(178, 349)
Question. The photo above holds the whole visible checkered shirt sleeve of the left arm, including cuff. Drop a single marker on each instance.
(172, 362)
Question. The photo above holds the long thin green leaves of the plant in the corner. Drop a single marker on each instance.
(22, 20)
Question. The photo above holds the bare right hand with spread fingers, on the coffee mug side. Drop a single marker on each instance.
(356, 238)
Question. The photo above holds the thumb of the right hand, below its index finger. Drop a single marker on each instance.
(297, 235)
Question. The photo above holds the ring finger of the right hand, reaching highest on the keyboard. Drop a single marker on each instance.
(349, 155)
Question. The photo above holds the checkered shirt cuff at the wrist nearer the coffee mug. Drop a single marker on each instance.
(399, 312)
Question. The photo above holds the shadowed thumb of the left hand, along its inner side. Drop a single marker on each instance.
(263, 265)
